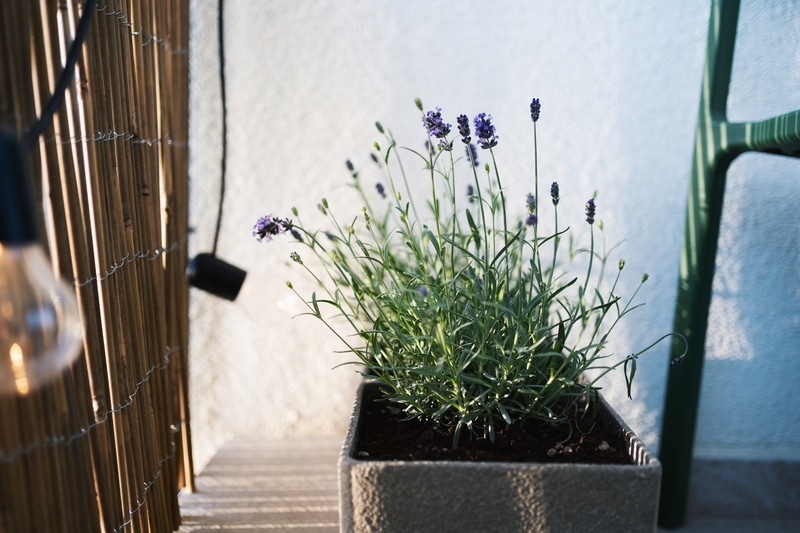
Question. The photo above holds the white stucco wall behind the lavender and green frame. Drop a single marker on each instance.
(619, 84)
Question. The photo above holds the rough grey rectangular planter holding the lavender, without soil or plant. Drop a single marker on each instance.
(443, 496)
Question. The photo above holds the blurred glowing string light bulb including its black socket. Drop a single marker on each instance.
(40, 327)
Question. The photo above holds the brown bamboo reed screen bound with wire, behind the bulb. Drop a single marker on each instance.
(105, 447)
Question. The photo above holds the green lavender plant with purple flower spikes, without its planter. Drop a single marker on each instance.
(467, 317)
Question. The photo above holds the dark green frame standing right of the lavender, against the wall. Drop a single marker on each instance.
(717, 143)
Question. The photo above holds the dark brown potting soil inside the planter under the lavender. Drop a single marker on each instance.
(384, 434)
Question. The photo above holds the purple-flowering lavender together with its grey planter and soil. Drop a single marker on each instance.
(481, 350)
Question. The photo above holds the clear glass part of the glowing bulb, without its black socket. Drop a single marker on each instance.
(40, 327)
